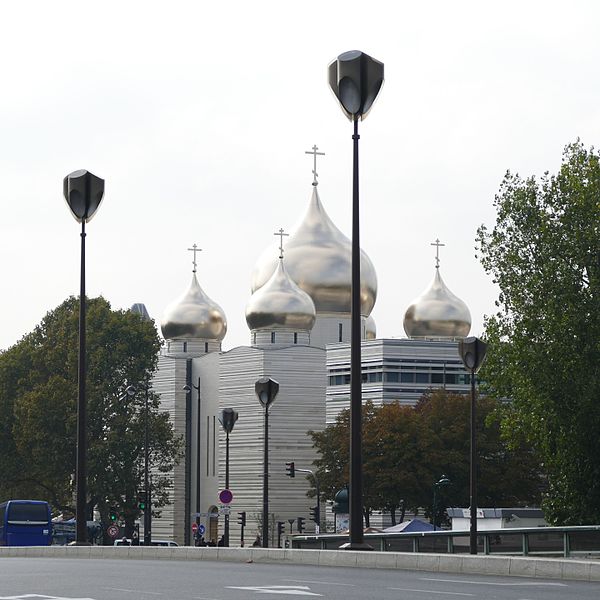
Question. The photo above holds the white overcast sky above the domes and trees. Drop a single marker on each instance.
(198, 115)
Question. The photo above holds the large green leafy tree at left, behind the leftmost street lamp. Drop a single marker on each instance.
(38, 398)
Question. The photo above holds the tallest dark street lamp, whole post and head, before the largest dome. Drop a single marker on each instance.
(355, 78)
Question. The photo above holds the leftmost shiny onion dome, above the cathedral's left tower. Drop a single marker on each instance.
(194, 315)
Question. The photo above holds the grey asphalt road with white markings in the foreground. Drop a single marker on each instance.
(105, 579)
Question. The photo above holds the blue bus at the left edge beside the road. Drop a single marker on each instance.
(25, 523)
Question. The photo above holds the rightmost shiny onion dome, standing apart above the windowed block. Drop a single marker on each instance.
(437, 313)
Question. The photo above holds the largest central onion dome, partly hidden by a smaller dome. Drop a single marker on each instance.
(319, 259)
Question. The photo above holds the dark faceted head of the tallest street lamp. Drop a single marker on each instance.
(355, 78)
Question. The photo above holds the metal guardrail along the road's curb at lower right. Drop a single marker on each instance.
(531, 541)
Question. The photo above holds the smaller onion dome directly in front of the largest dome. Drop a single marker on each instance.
(280, 304)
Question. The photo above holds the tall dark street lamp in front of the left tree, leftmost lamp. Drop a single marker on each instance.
(83, 193)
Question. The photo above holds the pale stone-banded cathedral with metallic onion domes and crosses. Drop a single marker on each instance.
(299, 322)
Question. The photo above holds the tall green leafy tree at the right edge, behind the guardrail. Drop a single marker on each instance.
(544, 353)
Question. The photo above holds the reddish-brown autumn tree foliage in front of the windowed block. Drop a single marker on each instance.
(406, 450)
